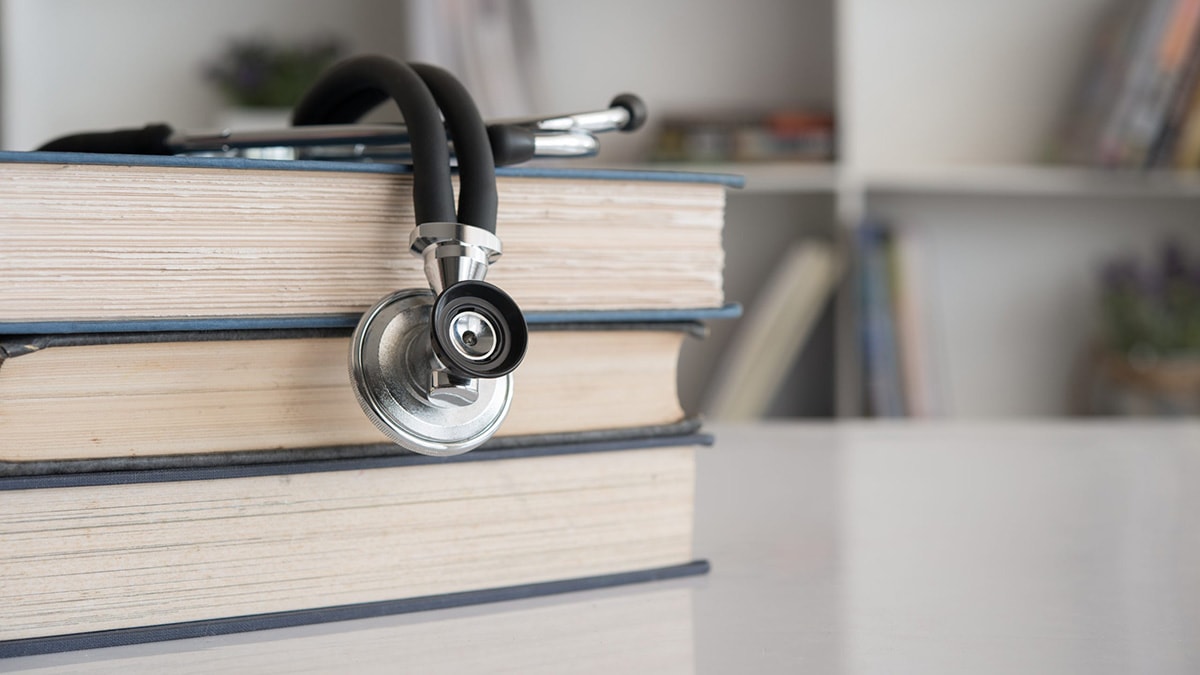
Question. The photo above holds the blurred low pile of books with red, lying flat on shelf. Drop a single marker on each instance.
(777, 136)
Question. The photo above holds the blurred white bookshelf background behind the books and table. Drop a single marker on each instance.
(952, 208)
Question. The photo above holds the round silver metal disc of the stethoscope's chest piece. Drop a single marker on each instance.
(409, 395)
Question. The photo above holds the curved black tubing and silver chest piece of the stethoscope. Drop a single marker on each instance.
(433, 368)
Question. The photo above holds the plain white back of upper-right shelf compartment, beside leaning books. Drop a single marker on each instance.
(937, 82)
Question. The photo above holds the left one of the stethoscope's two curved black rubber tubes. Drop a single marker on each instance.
(352, 88)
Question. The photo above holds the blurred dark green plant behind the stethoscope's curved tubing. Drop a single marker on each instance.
(261, 73)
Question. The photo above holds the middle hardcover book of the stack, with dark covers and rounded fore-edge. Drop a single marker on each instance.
(70, 402)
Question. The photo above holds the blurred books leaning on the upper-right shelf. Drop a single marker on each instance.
(1138, 104)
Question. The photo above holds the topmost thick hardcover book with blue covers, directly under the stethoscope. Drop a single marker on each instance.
(127, 238)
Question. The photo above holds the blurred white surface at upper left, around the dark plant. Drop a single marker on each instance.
(74, 65)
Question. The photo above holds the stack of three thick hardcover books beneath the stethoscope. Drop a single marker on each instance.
(183, 452)
